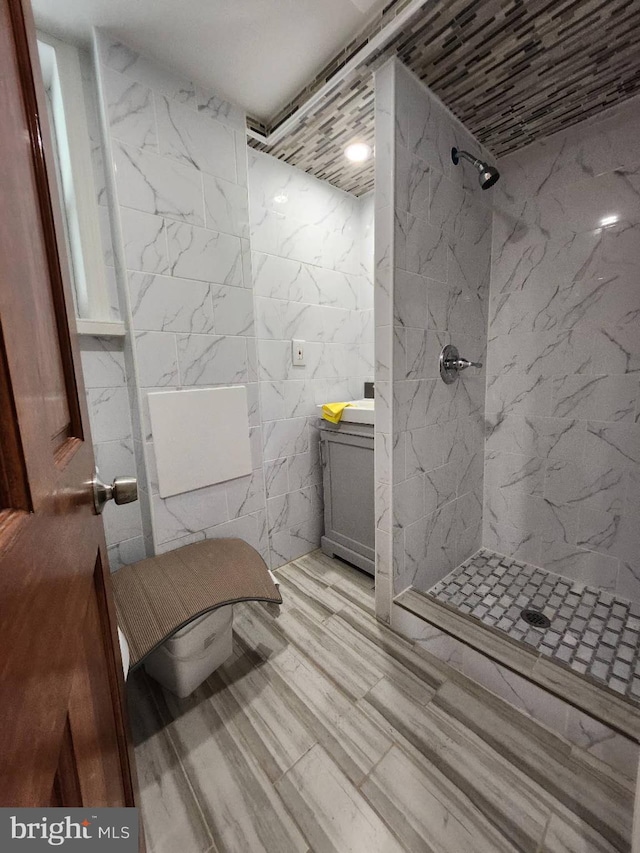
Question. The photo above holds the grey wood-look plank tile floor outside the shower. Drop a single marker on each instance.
(328, 732)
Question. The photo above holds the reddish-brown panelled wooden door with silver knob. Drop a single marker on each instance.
(63, 733)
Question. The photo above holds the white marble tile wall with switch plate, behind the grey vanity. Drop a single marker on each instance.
(312, 258)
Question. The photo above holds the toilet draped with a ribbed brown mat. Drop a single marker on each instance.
(176, 609)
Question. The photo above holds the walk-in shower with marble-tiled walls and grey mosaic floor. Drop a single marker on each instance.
(516, 487)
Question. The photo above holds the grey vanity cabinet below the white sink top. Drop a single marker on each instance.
(347, 473)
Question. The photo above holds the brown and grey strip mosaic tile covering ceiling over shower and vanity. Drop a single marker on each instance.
(512, 72)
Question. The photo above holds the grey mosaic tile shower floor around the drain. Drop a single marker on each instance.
(592, 631)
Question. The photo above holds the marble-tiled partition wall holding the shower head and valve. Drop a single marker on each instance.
(437, 221)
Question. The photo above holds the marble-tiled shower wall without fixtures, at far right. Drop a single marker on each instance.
(563, 388)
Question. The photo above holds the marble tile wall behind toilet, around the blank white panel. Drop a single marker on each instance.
(179, 173)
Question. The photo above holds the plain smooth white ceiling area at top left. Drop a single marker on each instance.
(257, 53)
